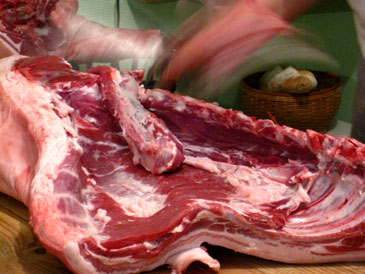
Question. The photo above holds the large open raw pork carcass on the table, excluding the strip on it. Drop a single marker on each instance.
(249, 185)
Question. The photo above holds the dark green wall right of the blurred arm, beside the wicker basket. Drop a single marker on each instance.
(332, 22)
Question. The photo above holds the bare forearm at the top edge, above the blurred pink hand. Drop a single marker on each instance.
(289, 9)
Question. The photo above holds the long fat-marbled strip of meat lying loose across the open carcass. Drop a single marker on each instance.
(151, 142)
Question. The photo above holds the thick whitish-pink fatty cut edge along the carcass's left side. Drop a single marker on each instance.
(54, 139)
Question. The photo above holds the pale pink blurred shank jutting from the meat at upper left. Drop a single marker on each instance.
(92, 42)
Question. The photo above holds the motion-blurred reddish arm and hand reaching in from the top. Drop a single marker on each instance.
(232, 35)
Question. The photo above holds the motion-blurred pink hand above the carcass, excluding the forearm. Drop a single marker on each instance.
(220, 39)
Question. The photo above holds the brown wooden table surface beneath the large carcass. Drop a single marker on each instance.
(22, 253)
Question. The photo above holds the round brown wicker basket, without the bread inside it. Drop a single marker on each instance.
(313, 110)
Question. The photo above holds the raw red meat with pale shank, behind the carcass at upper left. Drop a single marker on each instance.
(41, 27)
